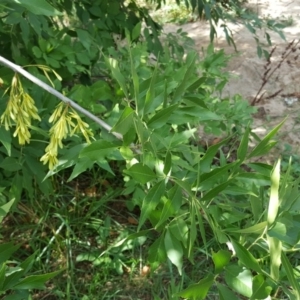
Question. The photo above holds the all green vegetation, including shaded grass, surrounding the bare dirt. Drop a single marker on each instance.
(148, 209)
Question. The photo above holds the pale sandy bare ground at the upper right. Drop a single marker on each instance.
(249, 68)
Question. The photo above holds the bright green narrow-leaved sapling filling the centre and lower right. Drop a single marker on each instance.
(186, 188)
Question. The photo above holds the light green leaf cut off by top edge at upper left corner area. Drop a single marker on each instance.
(39, 7)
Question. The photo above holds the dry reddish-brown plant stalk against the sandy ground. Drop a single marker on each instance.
(289, 56)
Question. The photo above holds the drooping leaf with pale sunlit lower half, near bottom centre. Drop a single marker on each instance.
(174, 250)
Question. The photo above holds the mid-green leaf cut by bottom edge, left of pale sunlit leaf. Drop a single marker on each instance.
(198, 290)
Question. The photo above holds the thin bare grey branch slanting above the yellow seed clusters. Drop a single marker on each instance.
(57, 94)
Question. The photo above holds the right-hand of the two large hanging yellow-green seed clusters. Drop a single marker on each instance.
(65, 122)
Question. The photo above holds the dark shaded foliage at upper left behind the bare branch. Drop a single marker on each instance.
(69, 44)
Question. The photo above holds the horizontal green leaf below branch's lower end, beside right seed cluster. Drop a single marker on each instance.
(99, 150)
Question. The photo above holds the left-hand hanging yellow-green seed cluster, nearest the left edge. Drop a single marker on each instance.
(19, 112)
